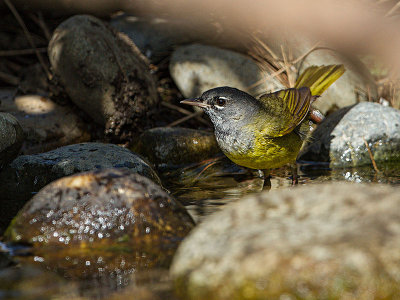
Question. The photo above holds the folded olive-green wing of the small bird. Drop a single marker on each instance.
(284, 110)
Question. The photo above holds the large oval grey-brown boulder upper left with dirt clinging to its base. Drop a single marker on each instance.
(104, 74)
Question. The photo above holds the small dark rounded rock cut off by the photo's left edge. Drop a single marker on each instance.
(11, 138)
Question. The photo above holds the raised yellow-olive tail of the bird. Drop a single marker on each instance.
(319, 78)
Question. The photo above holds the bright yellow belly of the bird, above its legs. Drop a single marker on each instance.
(268, 153)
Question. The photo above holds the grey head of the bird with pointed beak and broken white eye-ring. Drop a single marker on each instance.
(226, 104)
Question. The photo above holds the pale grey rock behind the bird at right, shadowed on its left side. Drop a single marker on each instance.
(339, 139)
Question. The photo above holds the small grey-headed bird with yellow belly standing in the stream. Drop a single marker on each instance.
(267, 132)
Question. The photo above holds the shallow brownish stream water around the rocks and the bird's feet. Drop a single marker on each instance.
(136, 272)
